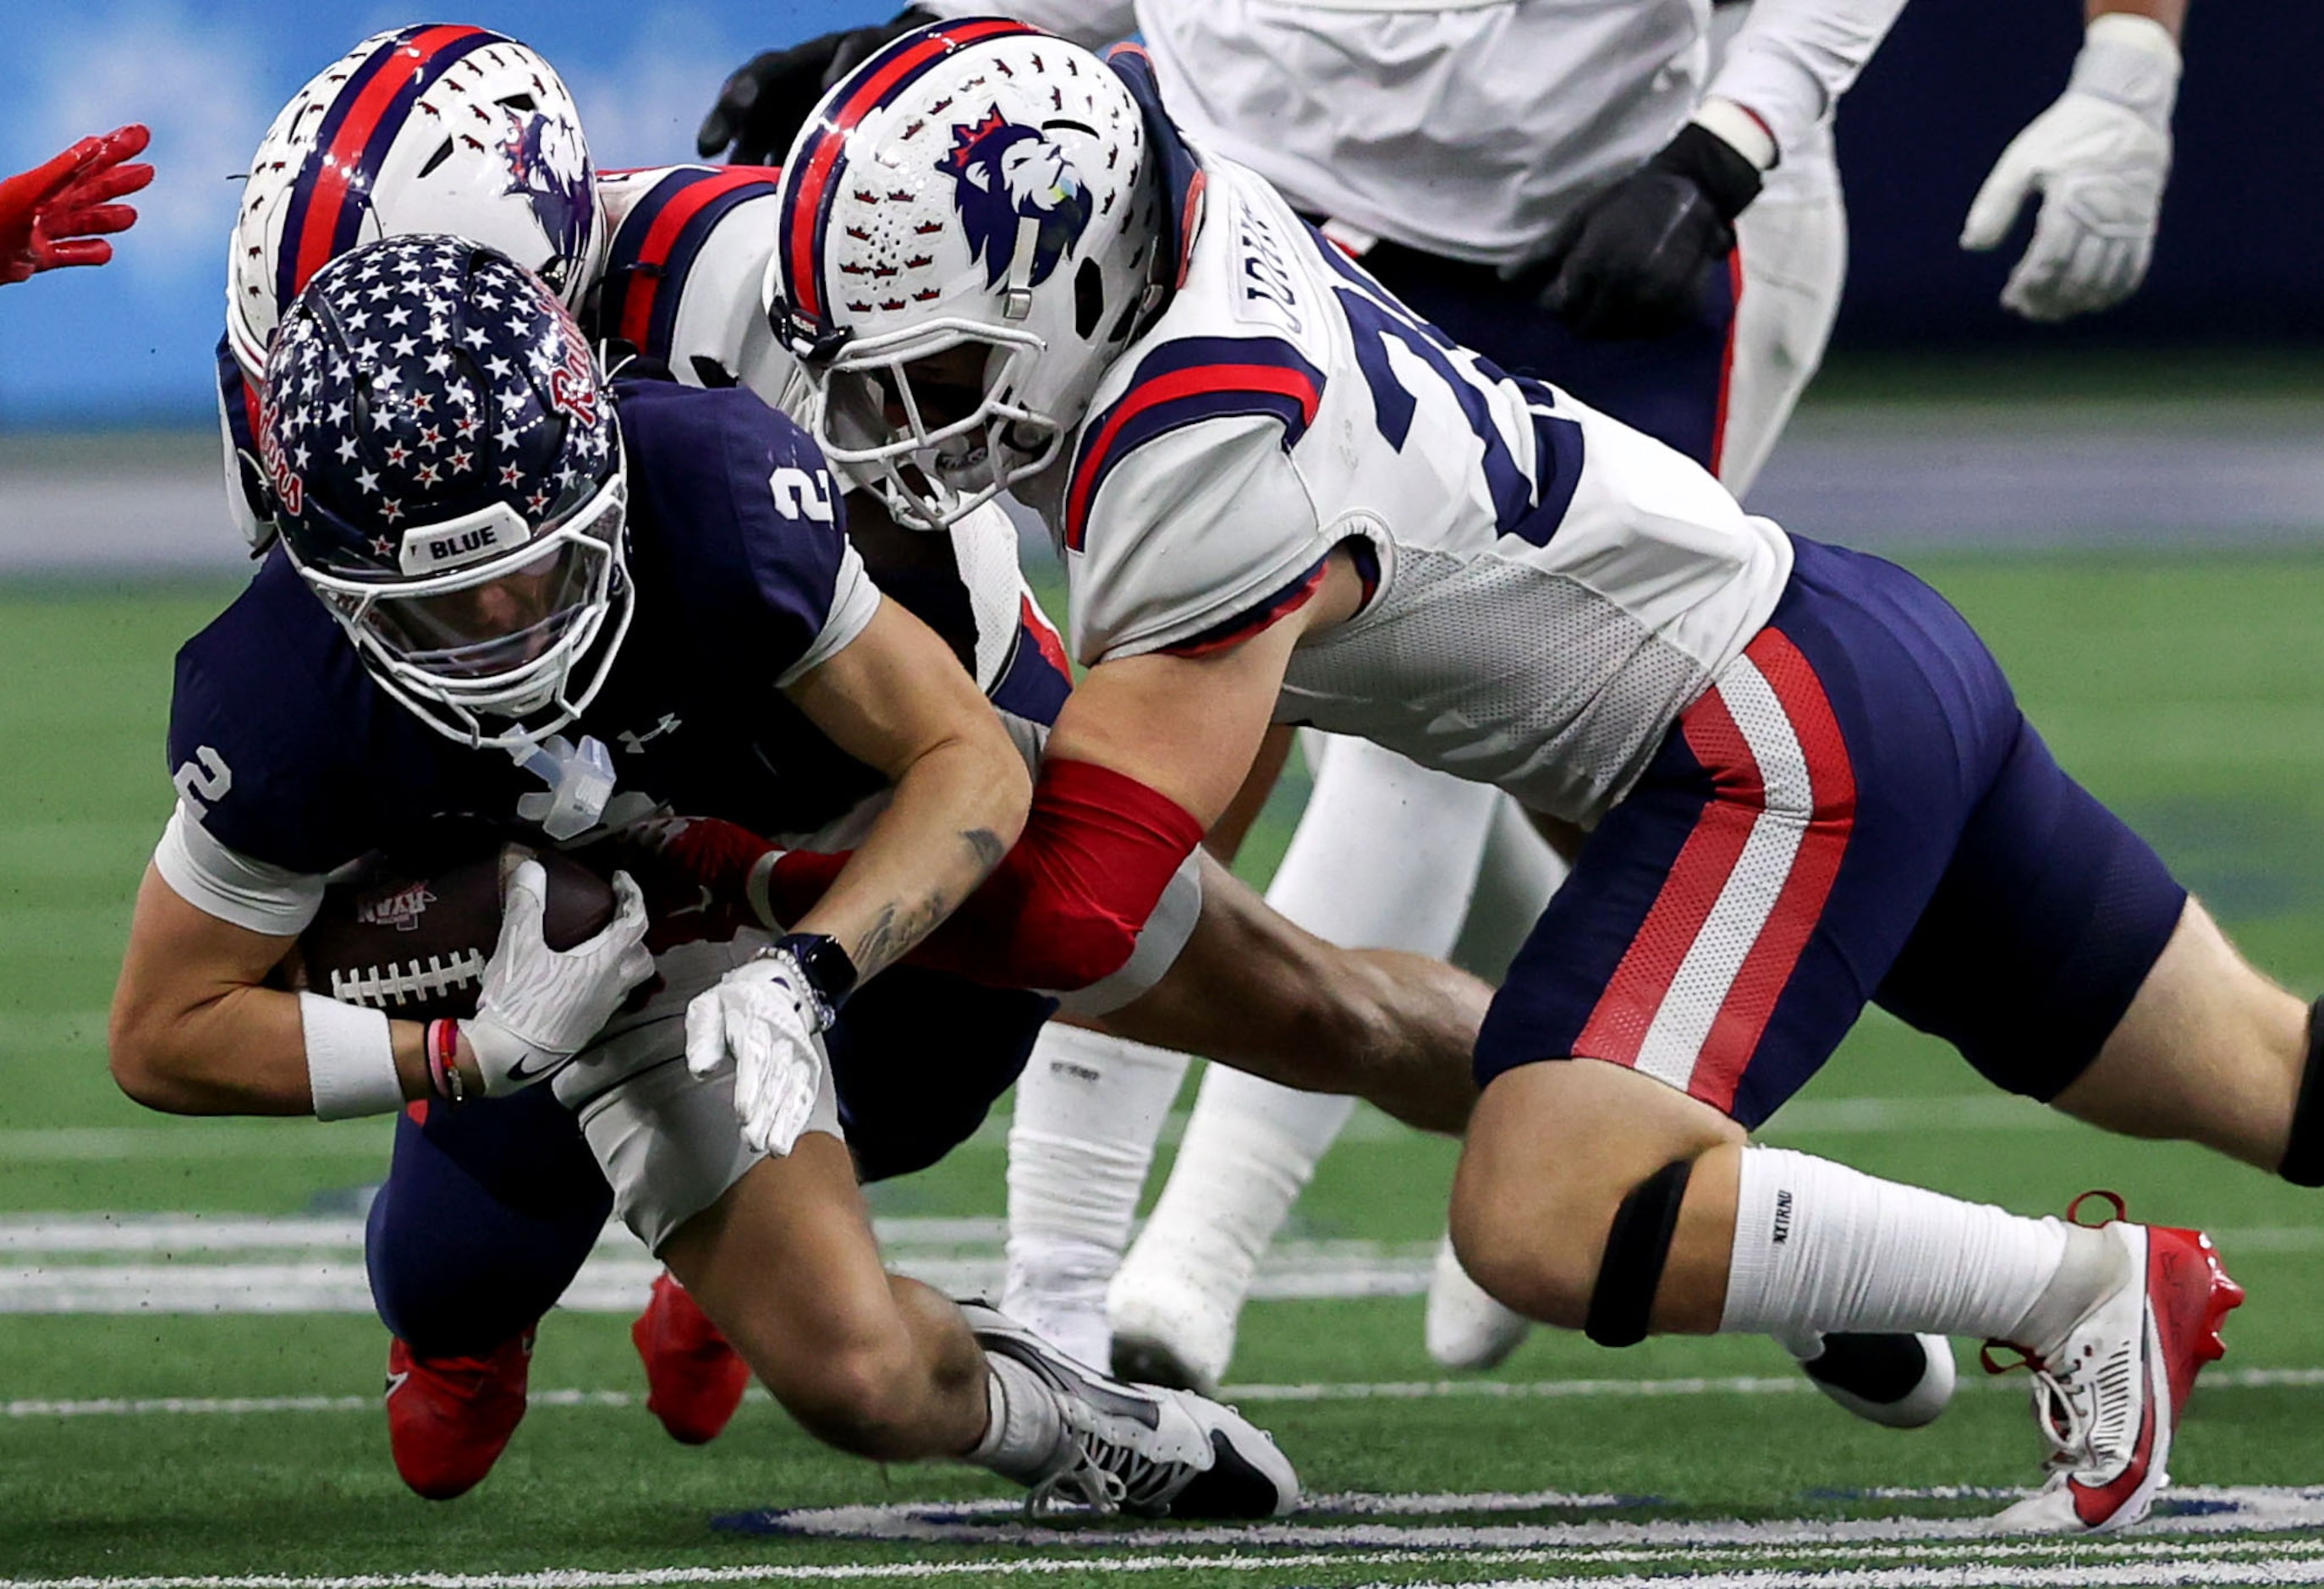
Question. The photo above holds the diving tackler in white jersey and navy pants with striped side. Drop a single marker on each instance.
(1802, 779)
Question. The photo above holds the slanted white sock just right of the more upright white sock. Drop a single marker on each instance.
(1249, 1151)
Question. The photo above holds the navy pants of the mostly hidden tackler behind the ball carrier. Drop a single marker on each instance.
(492, 1209)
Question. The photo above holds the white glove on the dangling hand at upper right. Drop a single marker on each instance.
(2100, 159)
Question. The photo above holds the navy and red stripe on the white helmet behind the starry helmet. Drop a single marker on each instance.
(359, 129)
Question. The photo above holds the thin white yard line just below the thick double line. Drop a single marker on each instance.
(1258, 1395)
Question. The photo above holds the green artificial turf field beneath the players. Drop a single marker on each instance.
(2183, 691)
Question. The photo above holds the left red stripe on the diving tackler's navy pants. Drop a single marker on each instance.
(1626, 1012)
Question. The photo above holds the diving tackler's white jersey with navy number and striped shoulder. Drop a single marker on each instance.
(1551, 587)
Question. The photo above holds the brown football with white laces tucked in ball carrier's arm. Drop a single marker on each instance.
(413, 937)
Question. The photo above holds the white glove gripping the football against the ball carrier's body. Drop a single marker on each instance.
(540, 1007)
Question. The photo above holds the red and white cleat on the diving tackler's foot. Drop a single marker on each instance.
(2109, 1395)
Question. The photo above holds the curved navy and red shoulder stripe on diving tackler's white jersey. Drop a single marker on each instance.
(1184, 384)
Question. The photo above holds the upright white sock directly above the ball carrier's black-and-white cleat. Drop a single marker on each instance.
(1089, 1112)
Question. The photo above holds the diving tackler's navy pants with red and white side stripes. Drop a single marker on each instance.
(1853, 814)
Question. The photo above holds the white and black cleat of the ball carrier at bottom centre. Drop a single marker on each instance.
(1138, 1448)
